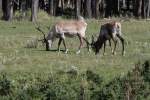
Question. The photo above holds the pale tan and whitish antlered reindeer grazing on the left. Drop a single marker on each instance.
(64, 29)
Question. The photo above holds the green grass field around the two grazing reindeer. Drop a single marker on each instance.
(20, 63)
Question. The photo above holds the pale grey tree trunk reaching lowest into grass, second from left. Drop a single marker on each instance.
(34, 10)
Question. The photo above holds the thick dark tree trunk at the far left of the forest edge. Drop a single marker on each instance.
(7, 7)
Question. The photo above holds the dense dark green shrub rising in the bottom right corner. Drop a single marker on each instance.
(134, 86)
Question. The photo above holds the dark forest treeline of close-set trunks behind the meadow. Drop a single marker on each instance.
(86, 8)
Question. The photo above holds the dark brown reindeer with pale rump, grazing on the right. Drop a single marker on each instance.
(108, 31)
